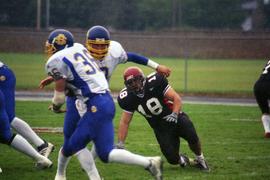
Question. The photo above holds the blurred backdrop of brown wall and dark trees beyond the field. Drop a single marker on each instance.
(176, 28)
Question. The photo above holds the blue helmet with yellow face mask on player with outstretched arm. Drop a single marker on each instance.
(98, 41)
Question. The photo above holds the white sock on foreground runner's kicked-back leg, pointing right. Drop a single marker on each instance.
(126, 157)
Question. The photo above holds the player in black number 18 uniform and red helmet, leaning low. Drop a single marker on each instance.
(157, 101)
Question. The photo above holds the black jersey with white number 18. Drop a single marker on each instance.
(152, 106)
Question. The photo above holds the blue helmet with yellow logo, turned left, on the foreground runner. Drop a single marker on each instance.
(58, 39)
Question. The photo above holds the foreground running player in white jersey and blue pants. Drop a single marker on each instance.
(72, 67)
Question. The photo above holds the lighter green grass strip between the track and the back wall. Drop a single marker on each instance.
(203, 76)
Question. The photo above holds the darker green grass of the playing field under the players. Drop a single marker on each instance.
(232, 139)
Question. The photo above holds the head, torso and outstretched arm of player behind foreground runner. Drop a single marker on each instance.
(108, 54)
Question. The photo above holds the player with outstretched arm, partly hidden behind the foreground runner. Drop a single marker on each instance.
(108, 54)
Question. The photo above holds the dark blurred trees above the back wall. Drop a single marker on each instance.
(132, 15)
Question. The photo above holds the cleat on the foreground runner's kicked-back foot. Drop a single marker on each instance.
(156, 167)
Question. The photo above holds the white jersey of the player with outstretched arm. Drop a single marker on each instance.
(116, 55)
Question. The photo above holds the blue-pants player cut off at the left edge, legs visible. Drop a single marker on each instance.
(8, 120)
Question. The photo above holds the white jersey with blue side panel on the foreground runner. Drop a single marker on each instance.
(78, 68)
